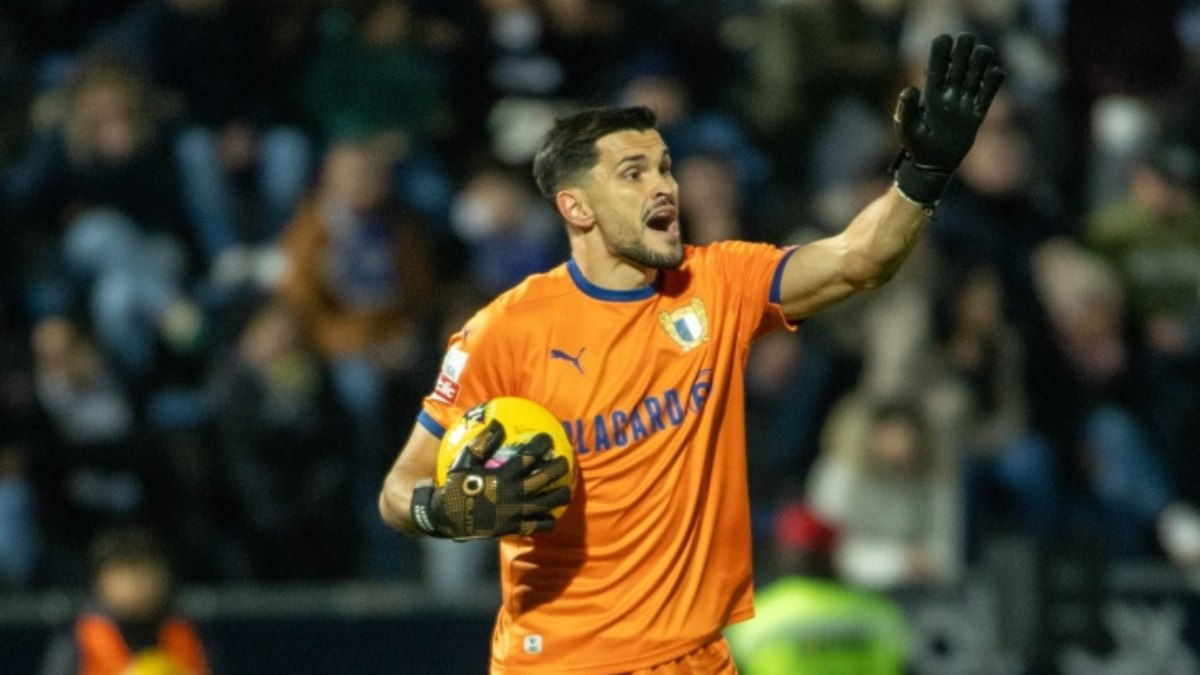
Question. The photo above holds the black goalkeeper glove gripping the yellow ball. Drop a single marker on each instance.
(479, 503)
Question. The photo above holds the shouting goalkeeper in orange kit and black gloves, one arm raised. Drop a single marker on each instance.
(652, 558)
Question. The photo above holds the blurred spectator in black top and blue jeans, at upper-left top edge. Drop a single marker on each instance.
(244, 160)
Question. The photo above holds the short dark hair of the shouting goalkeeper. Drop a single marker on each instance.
(571, 147)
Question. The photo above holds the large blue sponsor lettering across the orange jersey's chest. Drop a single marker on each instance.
(625, 428)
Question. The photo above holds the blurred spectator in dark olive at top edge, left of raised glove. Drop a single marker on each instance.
(819, 74)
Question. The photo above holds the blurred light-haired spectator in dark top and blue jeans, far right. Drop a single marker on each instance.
(1087, 398)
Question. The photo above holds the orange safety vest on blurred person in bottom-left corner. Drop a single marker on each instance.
(104, 650)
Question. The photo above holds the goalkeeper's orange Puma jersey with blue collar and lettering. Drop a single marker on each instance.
(652, 558)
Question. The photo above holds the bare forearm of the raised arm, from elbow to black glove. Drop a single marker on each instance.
(880, 238)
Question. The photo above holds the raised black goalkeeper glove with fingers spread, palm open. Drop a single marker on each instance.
(938, 130)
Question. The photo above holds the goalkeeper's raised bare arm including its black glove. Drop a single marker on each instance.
(935, 133)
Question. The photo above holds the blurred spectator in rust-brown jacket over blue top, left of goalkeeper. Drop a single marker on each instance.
(361, 279)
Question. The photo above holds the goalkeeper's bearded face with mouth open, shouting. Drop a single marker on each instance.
(635, 200)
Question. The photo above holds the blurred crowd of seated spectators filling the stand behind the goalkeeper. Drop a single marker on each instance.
(237, 234)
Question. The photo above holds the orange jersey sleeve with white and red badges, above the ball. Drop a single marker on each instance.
(475, 369)
